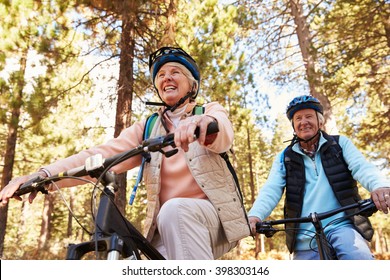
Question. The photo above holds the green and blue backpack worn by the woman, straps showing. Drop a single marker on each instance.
(150, 121)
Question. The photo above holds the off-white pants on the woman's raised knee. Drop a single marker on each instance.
(189, 229)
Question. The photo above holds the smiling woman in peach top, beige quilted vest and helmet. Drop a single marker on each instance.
(194, 210)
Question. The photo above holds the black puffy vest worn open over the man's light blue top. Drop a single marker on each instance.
(339, 177)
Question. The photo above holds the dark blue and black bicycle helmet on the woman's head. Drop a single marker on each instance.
(171, 54)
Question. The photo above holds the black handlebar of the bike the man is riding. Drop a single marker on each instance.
(366, 207)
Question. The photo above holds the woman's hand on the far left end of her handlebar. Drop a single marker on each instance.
(8, 191)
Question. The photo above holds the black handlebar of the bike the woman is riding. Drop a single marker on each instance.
(156, 144)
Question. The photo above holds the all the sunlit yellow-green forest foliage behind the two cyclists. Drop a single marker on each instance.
(232, 45)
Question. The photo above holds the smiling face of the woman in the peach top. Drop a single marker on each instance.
(171, 83)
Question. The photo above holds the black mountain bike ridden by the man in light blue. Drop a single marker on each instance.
(365, 207)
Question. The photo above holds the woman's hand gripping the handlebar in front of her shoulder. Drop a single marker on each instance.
(184, 133)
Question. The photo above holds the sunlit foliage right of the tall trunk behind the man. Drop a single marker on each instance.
(354, 48)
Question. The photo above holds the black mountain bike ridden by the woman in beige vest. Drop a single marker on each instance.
(114, 237)
